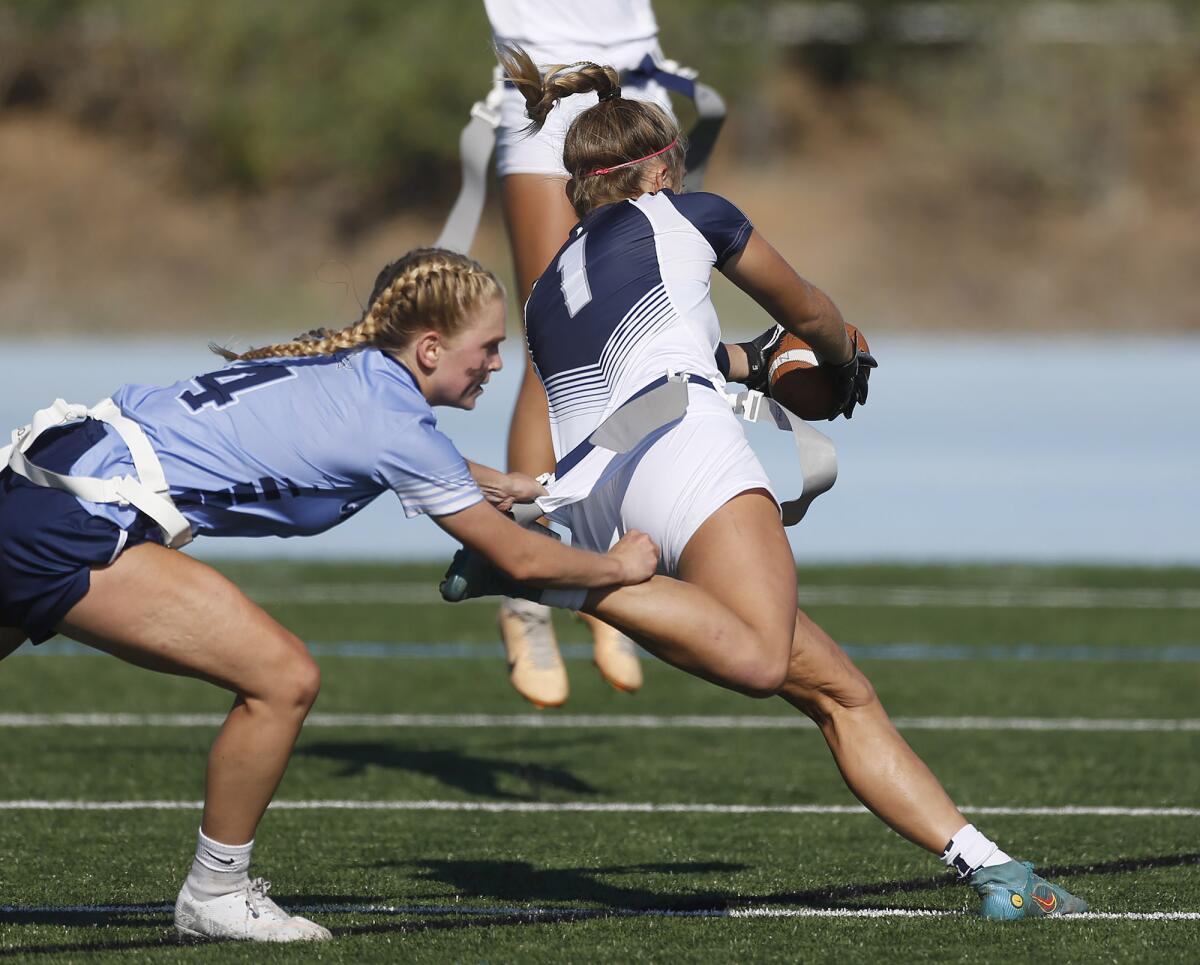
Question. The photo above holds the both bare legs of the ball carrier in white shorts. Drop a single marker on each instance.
(735, 622)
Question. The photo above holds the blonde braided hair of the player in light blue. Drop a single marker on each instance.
(427, 289)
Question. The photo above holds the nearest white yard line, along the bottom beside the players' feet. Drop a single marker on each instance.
(490, 912)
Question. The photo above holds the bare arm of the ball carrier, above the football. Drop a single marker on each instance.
(796, 304)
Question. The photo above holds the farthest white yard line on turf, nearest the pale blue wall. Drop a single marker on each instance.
(1150, 598)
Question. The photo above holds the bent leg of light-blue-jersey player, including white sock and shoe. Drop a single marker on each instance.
(165, 612)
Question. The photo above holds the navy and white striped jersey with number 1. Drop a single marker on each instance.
(628, 299)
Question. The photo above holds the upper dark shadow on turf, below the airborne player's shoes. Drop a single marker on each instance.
(467, 774)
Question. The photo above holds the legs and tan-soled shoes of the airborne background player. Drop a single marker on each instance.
(539, 219)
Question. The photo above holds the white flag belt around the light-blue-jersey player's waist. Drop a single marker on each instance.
(147, 493)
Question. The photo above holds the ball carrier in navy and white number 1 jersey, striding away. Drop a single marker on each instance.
(623, 307)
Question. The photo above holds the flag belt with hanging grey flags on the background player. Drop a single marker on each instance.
(478, 140)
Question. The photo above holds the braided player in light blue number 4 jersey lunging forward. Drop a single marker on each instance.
(290, 441)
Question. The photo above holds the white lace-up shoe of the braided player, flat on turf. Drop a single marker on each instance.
(244, 915)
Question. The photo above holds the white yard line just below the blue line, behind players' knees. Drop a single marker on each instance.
(634, 722)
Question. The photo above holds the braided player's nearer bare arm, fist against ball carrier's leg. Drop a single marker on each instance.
(533, 559)
